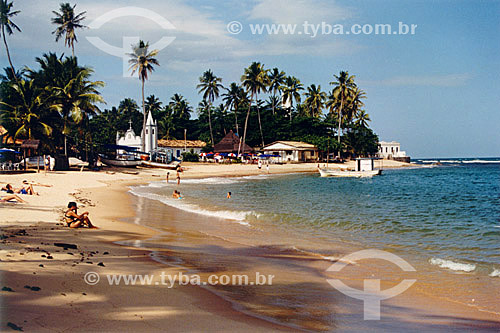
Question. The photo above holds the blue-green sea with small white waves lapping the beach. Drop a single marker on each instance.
(447, 215)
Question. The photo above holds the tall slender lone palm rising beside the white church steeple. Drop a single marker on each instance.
(142, 61)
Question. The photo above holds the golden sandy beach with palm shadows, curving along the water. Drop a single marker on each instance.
(44, 288)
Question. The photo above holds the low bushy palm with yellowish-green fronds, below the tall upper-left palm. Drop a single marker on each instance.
(78, 99)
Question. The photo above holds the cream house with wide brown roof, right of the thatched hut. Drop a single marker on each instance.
(292, 151)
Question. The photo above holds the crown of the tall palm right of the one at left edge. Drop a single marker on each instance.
(67, 23)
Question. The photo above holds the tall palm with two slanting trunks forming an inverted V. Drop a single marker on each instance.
(254, 80)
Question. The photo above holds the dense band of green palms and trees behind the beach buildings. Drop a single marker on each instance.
(58, 103)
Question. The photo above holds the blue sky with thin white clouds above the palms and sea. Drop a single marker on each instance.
(436, 92)
